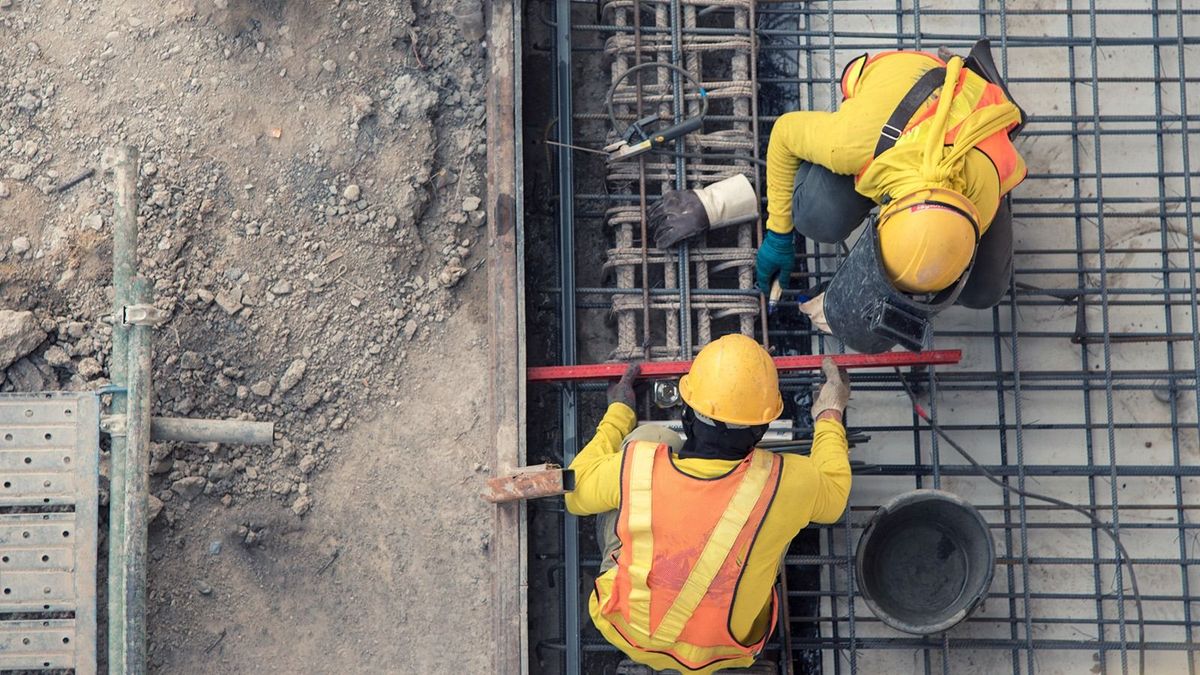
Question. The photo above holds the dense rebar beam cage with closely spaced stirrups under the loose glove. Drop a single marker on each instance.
(673, 33)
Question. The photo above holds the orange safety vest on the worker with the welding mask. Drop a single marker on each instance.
(971, 94)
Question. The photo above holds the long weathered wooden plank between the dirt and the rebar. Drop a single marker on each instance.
(507, 331)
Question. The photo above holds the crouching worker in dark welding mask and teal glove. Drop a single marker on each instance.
(928, 140)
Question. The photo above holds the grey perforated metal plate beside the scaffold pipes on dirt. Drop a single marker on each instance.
(49, 506)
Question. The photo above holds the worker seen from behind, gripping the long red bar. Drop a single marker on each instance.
(694, 530)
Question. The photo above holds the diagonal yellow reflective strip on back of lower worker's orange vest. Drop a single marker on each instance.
(717, 549)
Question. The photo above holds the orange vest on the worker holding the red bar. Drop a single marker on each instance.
(685, 543)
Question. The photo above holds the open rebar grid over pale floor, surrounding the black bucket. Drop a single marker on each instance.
(1105, 279)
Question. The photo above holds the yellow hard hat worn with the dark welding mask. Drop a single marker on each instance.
(927, 240)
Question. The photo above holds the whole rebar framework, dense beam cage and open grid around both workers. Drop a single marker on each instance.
(1082, 385)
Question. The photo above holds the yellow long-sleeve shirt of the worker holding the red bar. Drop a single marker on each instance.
(812, 489)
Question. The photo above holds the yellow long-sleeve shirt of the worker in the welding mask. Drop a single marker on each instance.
(845, 141)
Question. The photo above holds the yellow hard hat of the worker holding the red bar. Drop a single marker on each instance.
(734, 380)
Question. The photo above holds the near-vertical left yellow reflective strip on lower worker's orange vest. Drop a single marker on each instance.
(641, 548)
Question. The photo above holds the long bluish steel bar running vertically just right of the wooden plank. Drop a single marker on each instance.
(569, 413)
